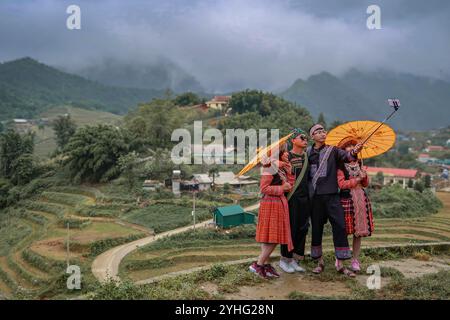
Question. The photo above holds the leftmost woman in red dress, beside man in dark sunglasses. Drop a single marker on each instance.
(273, 218)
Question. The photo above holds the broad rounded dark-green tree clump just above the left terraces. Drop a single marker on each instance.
(93, 152)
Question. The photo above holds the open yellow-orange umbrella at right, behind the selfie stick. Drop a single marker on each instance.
(379, 140)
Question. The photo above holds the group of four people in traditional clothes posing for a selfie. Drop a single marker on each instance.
(314, 184)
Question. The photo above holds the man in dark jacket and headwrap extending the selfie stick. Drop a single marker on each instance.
(323, 192)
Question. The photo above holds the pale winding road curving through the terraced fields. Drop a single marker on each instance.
(106, 265)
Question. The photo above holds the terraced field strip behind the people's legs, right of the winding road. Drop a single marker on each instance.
(156, 259)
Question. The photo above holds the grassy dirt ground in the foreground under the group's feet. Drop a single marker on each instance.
(405, 274)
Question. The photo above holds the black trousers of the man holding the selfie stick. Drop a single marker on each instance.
(328, 207)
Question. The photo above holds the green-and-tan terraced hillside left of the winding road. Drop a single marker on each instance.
(34, 235)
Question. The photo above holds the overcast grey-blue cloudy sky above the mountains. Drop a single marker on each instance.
(231, 44)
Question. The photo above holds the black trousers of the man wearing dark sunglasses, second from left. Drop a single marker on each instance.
(299, 214)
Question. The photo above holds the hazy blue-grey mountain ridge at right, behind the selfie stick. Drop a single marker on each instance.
(362, 95)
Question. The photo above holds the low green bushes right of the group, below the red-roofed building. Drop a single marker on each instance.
(396, 202)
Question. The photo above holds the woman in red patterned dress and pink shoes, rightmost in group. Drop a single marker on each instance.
(352, 179)
